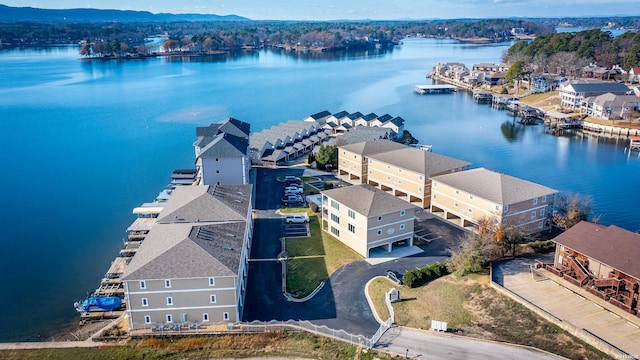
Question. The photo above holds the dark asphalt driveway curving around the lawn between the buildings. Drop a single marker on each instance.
(341, 303)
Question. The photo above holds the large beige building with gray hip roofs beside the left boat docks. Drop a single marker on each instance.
(191, 268)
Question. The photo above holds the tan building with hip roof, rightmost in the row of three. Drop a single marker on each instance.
(469, 196)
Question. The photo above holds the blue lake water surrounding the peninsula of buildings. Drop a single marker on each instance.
(83, 142)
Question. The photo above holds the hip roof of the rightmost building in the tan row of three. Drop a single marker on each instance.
(493, 186)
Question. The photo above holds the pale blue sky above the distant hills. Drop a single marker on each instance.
(357, 9)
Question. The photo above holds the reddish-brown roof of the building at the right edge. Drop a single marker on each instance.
(610, 245)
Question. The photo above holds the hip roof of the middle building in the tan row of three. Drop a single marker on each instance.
(419, 161)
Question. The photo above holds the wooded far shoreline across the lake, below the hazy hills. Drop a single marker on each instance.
(233, 35)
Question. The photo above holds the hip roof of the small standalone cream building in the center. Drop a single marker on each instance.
(367, 200)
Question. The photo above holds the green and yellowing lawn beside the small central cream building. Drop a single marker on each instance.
(313, 259)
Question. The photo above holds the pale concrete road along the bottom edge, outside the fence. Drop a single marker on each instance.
(416, 344)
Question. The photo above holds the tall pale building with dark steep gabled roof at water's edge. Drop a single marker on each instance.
(222, 153)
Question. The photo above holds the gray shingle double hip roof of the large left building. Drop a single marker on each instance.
(199, 233)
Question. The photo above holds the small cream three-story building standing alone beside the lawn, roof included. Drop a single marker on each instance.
(365, 218)
